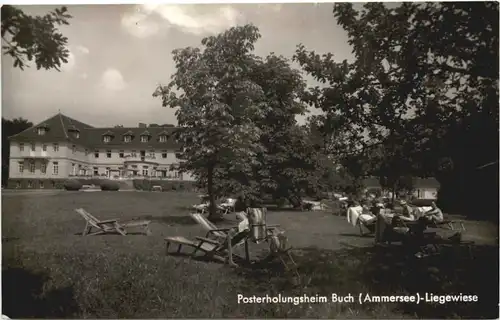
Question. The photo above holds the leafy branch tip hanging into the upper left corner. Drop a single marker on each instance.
(26, 37)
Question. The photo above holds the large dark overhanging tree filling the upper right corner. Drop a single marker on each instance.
(424, 74)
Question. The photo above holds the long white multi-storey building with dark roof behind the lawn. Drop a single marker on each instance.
(62, 147)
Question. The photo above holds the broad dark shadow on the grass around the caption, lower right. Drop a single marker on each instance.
(389, 271)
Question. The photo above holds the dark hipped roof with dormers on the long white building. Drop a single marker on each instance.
(61, 128)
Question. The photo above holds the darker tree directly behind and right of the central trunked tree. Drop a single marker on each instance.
(287, 167)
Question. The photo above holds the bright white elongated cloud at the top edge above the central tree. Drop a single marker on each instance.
(194, 19)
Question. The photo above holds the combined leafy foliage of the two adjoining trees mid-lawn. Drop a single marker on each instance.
(237, 122)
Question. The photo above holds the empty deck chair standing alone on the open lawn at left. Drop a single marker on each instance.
(109, 226)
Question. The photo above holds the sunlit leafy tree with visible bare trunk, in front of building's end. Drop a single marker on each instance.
(217, 105)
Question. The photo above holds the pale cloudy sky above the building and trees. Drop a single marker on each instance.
(120, 53)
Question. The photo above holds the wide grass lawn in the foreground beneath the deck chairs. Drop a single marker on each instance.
(50, 271)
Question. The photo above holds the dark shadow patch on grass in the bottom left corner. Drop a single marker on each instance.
(24, 296)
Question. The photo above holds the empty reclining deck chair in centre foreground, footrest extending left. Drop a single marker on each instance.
(221, 250)
